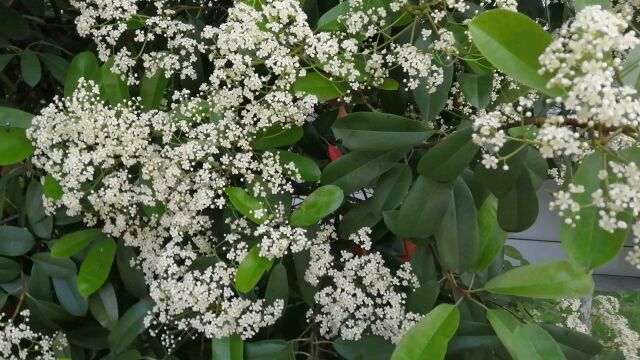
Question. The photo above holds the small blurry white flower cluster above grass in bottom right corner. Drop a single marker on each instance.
(605, 312)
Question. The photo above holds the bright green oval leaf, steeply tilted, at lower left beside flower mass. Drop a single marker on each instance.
(96, 267)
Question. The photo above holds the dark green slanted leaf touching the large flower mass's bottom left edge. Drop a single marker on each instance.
(129, 326)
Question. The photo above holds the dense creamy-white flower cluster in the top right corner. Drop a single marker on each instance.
(584, 60)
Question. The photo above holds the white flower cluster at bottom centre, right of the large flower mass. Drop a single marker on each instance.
(361, 296)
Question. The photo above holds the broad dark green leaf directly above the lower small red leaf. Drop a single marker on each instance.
(423, 208)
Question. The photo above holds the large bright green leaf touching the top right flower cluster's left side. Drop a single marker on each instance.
(514, 52)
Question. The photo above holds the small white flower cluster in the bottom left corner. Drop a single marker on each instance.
(18, 341)
